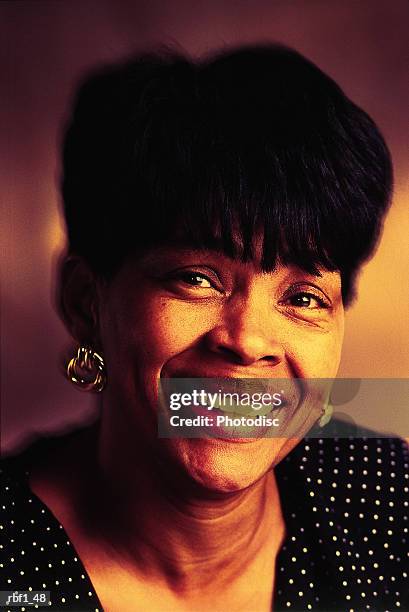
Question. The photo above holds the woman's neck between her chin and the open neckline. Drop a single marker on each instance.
(176, 532)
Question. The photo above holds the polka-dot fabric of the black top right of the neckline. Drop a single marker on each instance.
(344, 551)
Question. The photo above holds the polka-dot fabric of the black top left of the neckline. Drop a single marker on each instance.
(36, 553)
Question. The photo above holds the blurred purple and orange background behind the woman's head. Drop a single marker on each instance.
(45, 47)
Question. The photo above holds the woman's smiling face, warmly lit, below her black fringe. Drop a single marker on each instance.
(188, 313)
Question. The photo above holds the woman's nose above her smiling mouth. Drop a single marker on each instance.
(247, 334)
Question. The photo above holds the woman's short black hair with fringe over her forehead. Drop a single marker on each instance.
(250, 141)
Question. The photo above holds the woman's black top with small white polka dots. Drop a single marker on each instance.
(345, 504)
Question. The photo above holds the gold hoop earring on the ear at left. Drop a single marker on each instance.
(87, 370)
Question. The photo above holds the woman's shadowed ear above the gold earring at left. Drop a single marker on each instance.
(78, 300)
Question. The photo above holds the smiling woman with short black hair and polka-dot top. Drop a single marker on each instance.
(217, 212)
